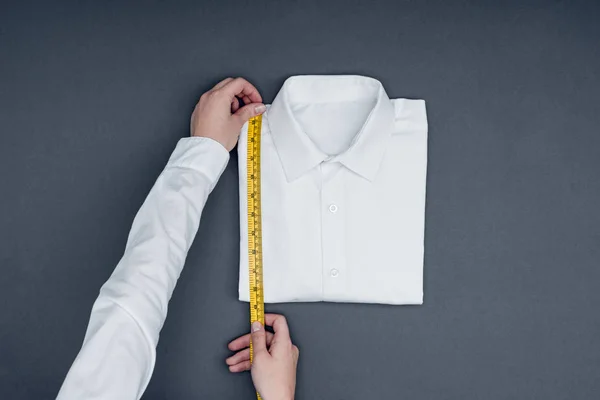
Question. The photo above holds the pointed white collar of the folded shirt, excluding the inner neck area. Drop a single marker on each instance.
(299, 154)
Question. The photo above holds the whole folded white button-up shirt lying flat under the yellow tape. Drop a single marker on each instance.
(343, 194)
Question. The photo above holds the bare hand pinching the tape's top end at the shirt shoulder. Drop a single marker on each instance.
(218, 114)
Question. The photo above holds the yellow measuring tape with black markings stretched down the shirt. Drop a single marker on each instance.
(255, 262)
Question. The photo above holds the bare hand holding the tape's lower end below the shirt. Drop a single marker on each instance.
(275, 358)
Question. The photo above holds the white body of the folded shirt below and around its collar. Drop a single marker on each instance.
(332, 235)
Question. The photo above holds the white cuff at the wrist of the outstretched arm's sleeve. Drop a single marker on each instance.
(201, 154)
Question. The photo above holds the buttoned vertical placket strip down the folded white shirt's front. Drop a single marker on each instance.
(333, 223)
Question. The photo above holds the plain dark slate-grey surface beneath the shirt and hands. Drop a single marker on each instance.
(94, 96)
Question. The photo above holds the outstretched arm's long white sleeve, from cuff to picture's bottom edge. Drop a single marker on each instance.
(118, 353)
